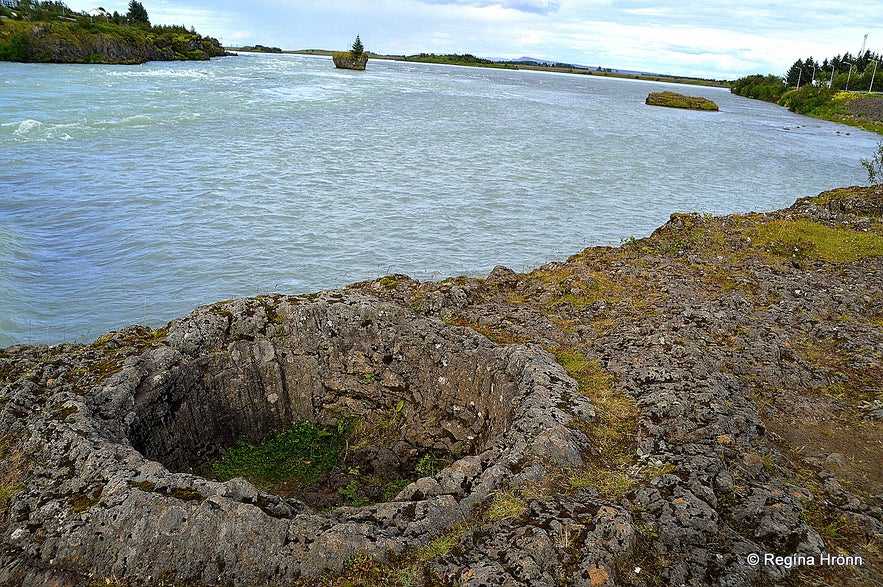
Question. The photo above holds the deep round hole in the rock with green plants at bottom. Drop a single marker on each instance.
(370, 398)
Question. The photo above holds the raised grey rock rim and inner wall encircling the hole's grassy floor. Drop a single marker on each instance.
(247, 368)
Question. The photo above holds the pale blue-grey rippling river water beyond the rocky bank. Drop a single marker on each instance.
(134, 194)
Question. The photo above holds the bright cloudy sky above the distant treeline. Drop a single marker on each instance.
(683, 37)
